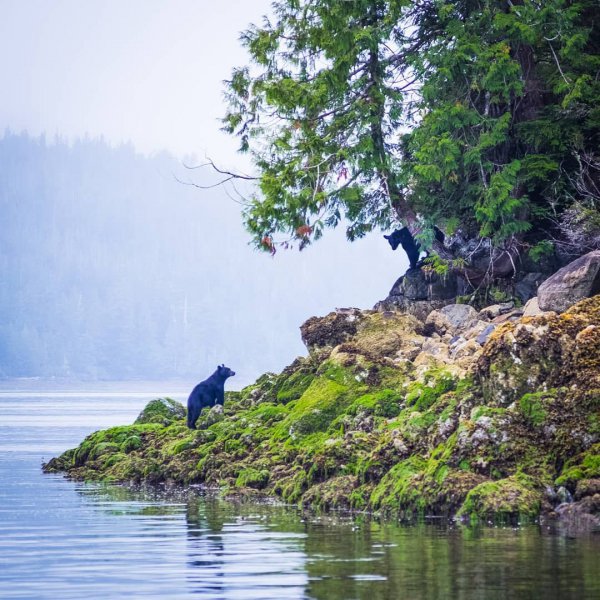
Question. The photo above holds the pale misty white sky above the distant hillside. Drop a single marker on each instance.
(149, 71)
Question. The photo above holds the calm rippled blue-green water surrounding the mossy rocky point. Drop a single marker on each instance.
(60, 539)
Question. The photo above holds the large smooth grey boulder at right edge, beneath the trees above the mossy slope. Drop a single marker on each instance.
(578, 280)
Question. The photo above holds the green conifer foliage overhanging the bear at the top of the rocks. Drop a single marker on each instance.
(473, 112)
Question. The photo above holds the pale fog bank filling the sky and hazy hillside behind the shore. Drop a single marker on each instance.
(110, 268)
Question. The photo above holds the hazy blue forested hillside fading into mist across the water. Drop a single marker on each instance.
(111, 269)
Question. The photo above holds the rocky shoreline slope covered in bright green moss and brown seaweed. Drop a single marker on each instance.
(382, 417)
